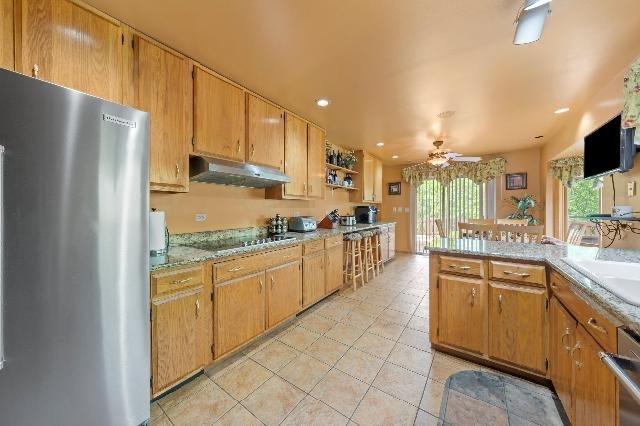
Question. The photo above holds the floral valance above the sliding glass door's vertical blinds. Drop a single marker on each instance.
(479, 172)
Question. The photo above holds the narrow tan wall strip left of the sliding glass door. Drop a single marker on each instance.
(401, 203)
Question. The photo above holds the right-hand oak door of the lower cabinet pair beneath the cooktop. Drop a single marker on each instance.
(284, 294)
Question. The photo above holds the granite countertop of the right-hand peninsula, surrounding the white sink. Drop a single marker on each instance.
(553, 256)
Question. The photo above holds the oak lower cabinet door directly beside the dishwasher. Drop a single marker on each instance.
(595, 385)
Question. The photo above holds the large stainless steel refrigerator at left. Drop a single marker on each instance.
(74, 291)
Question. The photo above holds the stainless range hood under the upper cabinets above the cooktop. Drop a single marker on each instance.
(224, 172)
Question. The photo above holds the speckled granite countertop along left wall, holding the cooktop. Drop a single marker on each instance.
(185, 254)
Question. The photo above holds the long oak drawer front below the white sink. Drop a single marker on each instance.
(596, 324)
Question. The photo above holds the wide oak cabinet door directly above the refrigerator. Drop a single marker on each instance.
(71, 45)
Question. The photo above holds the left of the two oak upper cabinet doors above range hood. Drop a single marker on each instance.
(219, 117)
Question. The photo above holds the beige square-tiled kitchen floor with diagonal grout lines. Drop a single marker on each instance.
(358, 357)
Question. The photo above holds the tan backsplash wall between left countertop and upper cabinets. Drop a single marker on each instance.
(229, 207)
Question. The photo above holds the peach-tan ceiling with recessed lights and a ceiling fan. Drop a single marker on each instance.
(390, 67)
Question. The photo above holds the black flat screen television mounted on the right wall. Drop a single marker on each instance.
(608, 149)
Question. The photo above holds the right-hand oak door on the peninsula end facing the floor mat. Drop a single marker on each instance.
(517, 319)
